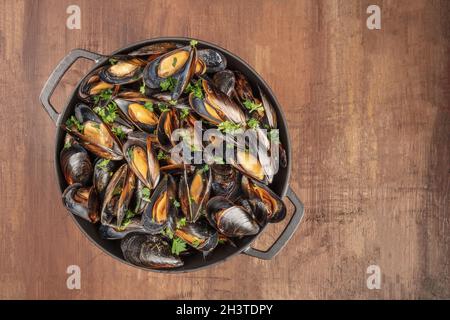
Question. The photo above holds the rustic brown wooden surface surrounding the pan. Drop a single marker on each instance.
(369, 119)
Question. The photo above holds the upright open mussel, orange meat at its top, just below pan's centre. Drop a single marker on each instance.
(193, 193)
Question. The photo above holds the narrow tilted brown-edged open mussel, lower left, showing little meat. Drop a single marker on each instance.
(117, 198)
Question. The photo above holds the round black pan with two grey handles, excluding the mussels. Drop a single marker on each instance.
(280, 184)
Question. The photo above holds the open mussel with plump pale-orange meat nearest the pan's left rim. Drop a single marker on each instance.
(94, 135)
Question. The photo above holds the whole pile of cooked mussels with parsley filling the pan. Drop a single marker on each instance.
(116, 156)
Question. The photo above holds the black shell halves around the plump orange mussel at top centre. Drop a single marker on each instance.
(182, 75)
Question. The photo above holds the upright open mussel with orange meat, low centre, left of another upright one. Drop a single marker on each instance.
(161, 213)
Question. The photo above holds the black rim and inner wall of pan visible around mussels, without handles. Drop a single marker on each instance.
(221, 253)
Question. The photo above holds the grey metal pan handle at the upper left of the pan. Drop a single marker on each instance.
(58, 73)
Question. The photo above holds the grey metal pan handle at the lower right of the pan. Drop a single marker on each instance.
(285, 235)
